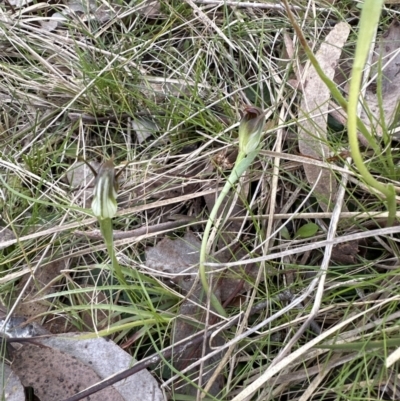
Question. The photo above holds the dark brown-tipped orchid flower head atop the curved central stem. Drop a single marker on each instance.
(250, 129)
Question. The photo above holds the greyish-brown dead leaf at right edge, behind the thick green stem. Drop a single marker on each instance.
(388, 49)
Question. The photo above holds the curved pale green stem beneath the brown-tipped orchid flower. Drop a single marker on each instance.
(241, 165)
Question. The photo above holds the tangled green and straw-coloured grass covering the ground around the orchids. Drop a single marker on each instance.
(76, 90)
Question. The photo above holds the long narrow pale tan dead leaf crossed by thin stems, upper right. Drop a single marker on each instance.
(313, 109)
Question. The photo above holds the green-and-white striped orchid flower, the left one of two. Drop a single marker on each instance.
(104, 204)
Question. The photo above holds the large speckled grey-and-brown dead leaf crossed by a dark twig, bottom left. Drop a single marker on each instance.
(66, 364)
